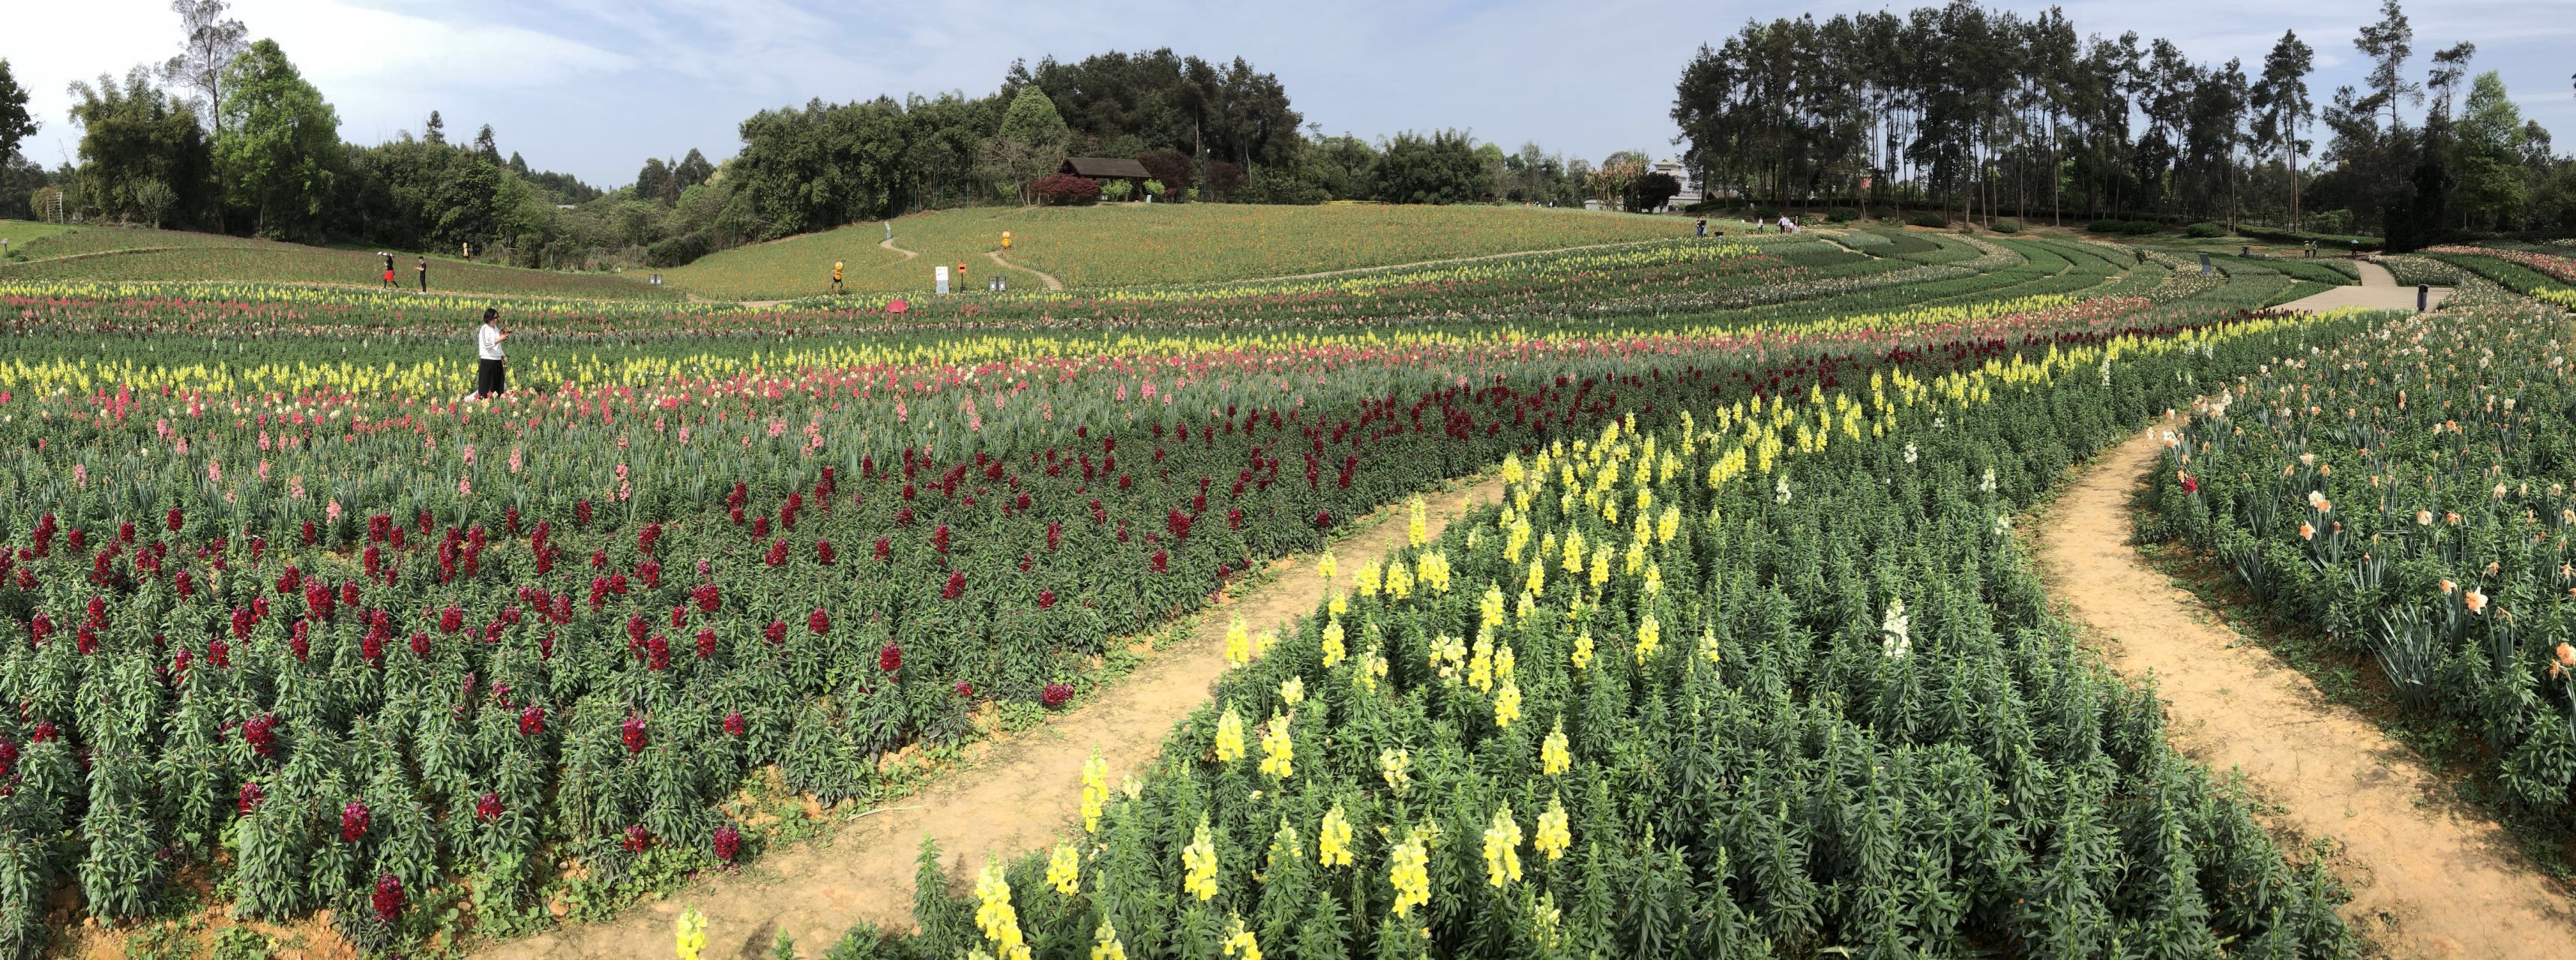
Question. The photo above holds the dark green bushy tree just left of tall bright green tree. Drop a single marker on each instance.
(143, 156)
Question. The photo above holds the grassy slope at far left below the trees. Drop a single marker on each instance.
(117, 254)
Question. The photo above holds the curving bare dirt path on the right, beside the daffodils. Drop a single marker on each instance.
(2428, 879)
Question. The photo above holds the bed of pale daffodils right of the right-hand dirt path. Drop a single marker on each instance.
(2410, 495)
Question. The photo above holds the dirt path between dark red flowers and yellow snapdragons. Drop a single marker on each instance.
(1019, 799)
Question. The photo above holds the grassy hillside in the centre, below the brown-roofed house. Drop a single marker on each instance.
(1150, 246)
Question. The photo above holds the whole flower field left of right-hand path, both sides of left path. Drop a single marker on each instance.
(290, 619)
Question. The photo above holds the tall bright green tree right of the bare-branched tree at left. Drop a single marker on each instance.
(282, 143)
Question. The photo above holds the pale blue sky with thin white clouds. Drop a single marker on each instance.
(596, 86)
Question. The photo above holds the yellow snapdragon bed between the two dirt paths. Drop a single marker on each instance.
(1768, 681)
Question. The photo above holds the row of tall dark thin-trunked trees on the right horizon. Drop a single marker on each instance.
(1995, 115)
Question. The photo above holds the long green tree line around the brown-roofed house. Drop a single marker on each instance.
(231, 138)
